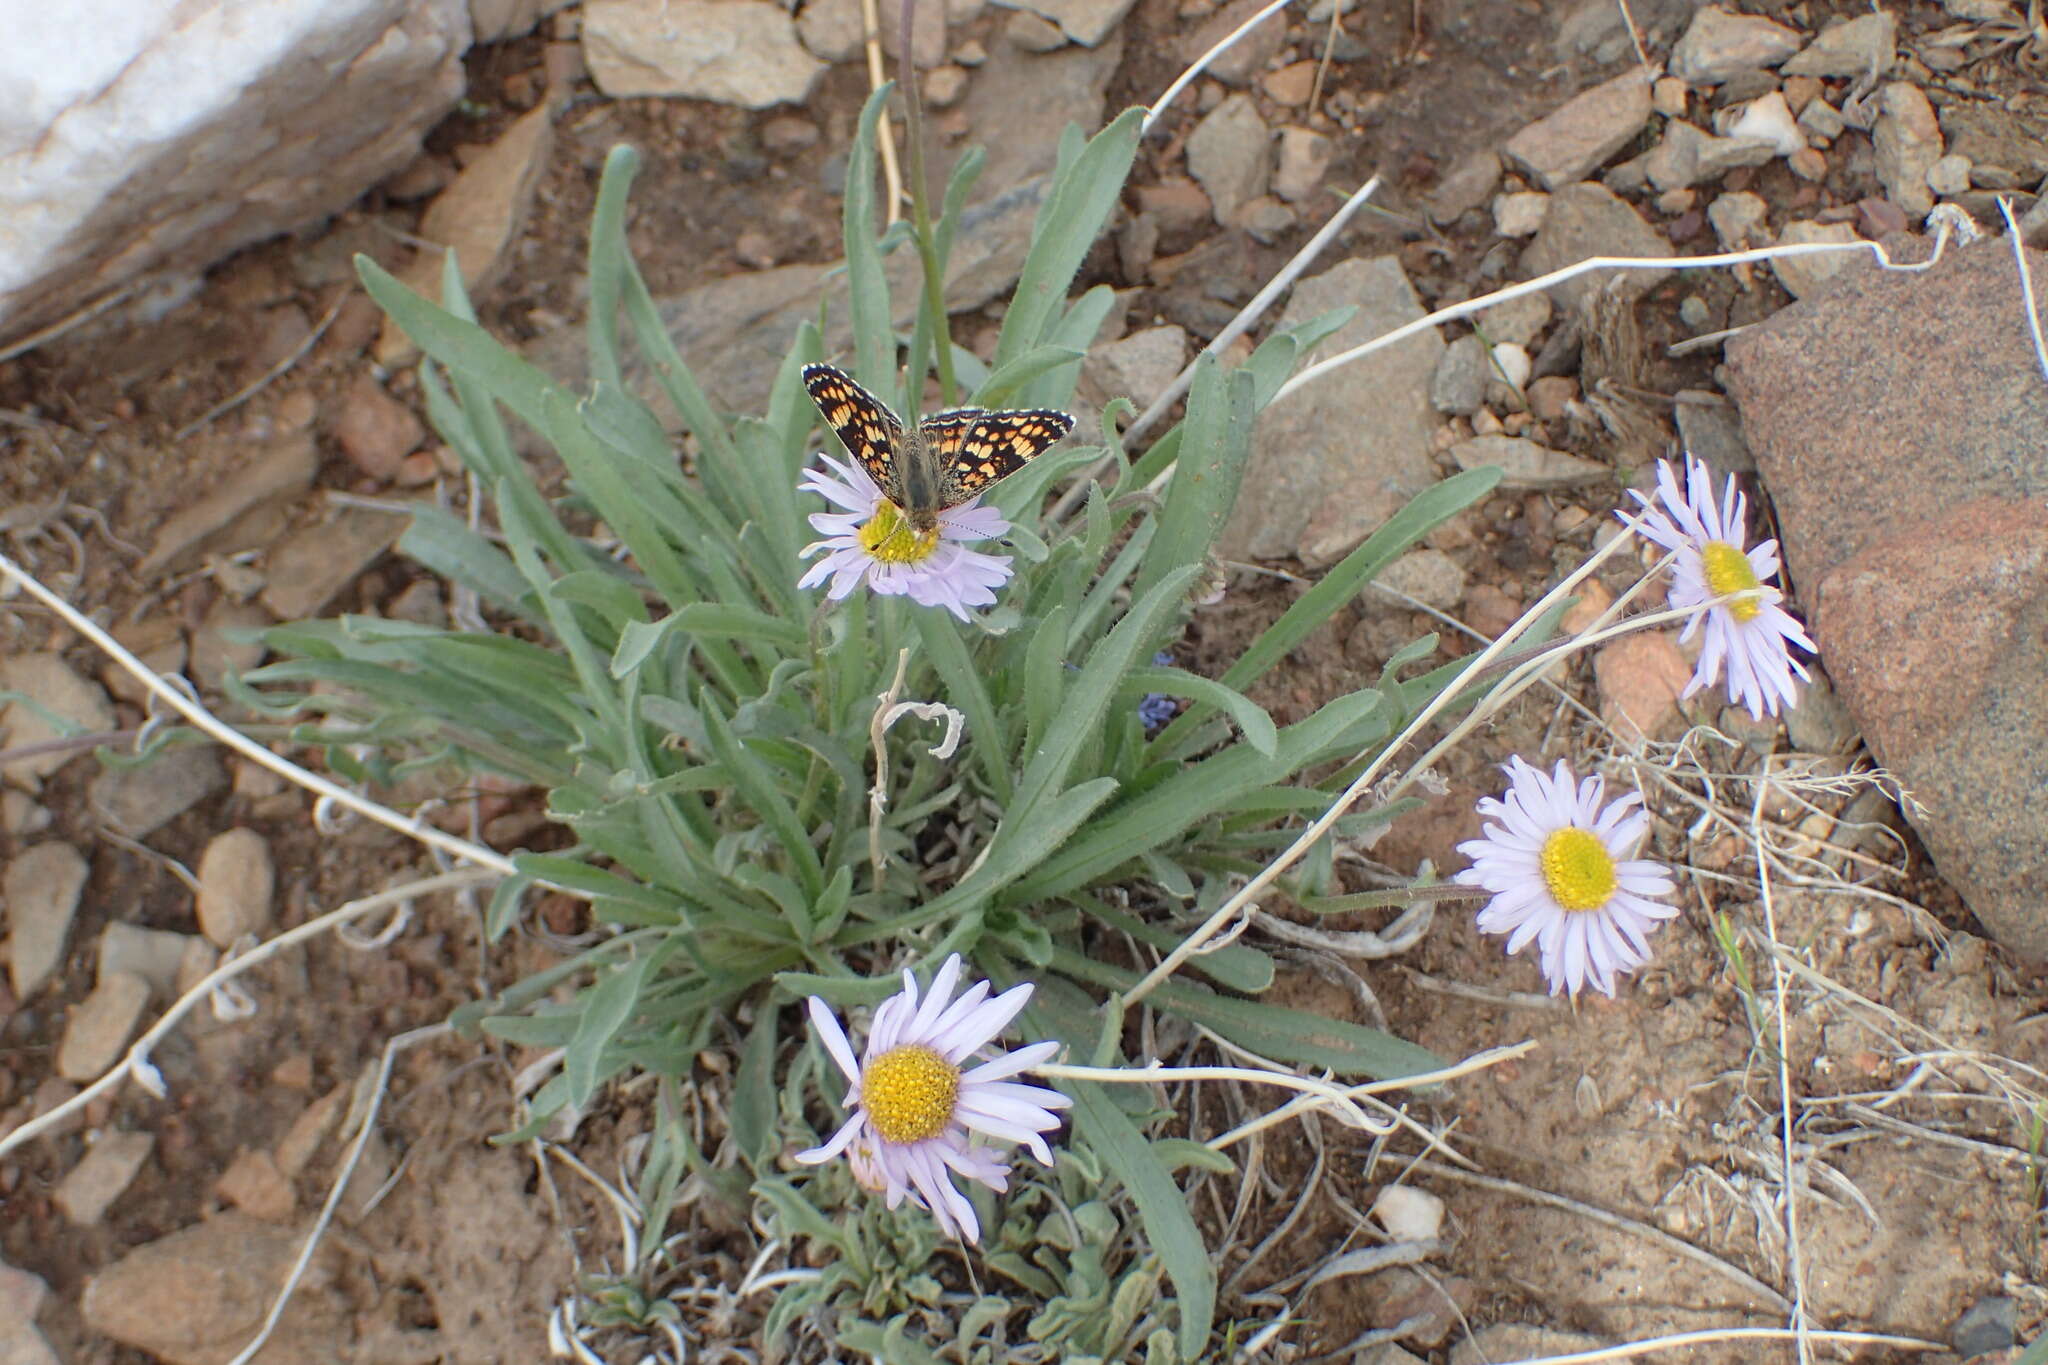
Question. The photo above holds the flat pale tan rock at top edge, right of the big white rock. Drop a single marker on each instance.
(732, 52)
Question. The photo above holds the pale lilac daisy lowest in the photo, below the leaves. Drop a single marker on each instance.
(914, 1110)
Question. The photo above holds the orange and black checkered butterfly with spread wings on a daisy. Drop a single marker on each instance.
(951, 457)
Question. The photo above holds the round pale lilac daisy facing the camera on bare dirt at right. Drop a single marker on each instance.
(1562, 875)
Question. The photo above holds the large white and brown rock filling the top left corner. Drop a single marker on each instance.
(159, 138)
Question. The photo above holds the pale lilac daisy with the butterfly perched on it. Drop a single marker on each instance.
(871, 539)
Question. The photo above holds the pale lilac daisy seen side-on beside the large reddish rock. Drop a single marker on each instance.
(1752, 637)
